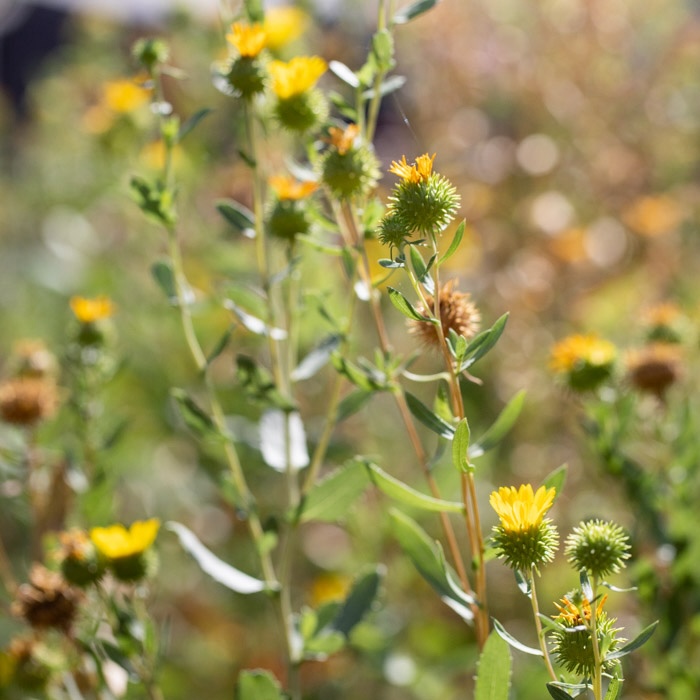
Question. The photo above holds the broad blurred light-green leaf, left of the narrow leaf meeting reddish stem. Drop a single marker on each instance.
(330, 499)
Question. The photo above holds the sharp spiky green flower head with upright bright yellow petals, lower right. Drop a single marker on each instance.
(524, 538)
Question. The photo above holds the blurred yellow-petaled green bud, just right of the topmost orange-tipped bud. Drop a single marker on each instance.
(299, 105)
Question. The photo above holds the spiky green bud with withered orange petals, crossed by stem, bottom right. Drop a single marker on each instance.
(572, 641)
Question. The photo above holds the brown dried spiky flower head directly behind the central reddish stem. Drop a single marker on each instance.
(457, 312)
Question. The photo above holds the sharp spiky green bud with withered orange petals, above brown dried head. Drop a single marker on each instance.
(422, 201)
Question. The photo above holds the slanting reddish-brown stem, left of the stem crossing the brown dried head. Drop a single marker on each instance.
(348, 225)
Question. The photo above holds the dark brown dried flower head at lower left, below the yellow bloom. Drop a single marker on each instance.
(47, 600)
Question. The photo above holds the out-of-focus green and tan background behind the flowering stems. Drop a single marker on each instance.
(570, 128)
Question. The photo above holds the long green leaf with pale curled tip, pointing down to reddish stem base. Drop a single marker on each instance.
(427, 557)
